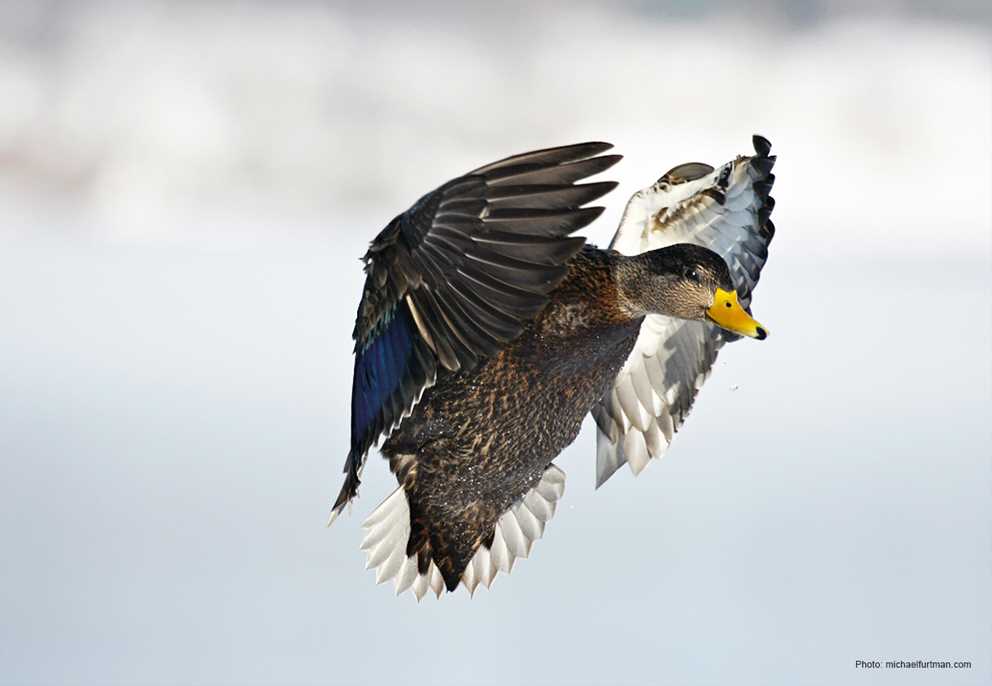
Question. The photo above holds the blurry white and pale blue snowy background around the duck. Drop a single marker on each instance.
(185, 189)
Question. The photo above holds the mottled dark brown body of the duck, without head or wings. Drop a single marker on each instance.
(479, 440)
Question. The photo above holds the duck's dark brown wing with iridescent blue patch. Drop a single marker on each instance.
(457, 276)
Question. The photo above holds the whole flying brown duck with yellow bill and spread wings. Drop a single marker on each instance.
(487, 331)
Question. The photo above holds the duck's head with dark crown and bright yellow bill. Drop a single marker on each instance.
(688, 282)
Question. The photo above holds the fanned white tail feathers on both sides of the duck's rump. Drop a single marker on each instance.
(388, 530)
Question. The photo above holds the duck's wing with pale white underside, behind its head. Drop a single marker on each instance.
(726, 210)
